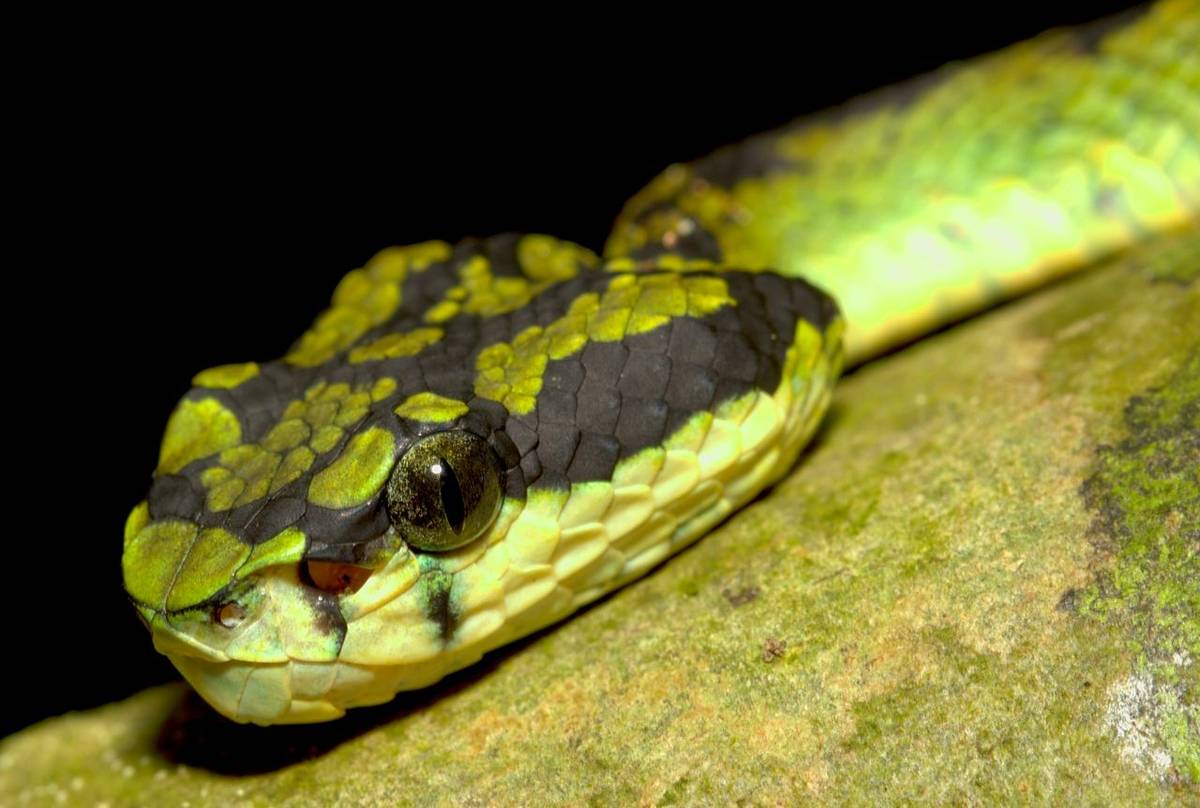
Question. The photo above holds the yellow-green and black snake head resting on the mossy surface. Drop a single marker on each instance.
(471, 444)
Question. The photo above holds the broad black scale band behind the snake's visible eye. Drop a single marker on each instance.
(637, 393)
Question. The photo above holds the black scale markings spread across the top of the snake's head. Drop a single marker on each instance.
(596, 408)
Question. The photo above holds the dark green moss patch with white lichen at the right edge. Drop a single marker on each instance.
(1147, 499)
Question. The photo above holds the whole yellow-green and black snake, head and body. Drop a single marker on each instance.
(476, 440)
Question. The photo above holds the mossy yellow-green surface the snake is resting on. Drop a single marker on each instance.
(981, 585)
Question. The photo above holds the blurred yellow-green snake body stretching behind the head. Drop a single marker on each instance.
(999, 176)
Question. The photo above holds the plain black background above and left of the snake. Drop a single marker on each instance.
(187, 206)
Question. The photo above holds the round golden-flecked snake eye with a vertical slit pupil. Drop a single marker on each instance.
(446, 492)
